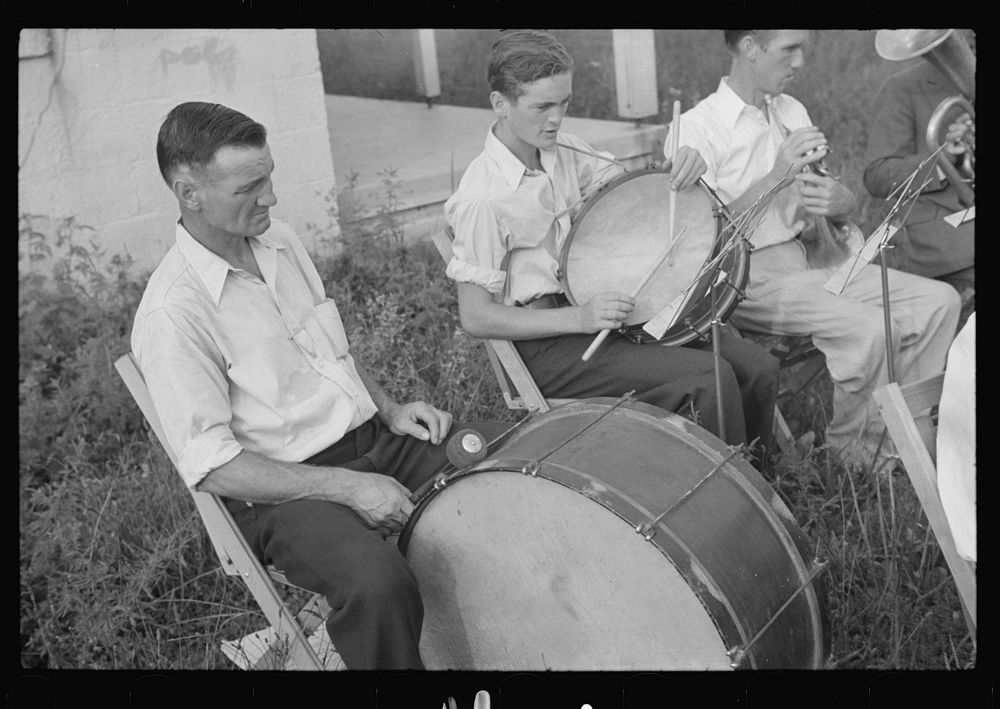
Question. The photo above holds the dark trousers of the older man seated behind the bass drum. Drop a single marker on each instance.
(376, 607)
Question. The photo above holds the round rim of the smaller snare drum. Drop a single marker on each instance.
(680, 333)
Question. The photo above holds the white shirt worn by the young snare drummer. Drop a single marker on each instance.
(501, 207)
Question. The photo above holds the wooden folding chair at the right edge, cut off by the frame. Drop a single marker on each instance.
(906, 412)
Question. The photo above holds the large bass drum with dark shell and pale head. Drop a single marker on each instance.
(602, 536)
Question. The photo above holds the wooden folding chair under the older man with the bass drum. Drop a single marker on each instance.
(286, 645)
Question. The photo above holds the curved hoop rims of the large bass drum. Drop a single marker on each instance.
(716, 604)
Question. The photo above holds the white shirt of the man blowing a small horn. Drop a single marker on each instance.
(739, 146)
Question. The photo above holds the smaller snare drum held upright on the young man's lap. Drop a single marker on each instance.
(621, 231)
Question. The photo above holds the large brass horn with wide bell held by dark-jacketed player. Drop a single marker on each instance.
(947, 51)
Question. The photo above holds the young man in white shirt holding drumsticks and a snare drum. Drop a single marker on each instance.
(511, 215)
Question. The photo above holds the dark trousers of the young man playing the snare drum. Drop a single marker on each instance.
(678, 379)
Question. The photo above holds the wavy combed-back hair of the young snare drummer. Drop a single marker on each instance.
(520, 57)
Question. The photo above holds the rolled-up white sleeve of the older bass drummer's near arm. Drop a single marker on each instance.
(185, 375)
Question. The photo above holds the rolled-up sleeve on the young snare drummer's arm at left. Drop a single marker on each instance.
(479, 246)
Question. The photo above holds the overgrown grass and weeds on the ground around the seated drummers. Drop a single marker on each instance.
(116, 572)
